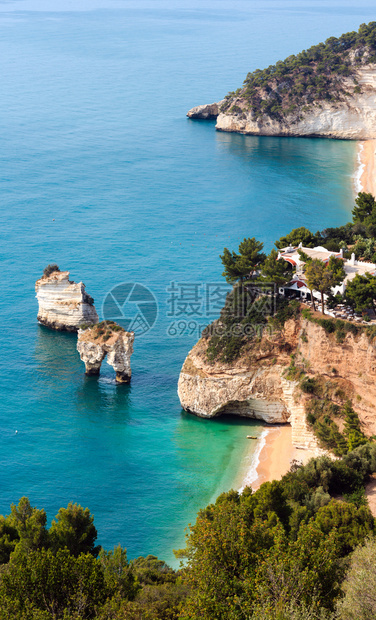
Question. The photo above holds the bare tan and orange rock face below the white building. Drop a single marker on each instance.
(256, 386)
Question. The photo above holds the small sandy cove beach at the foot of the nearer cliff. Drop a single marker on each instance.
(274, 457)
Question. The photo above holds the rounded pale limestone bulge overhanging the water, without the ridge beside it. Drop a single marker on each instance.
(250, 387)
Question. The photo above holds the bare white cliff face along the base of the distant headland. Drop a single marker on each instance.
(353, 118)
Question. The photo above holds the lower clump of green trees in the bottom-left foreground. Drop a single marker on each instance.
(56, 573)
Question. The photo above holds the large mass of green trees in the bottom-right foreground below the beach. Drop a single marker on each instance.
(282, 546)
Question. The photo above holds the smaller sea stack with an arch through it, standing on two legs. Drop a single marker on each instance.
(106, 339)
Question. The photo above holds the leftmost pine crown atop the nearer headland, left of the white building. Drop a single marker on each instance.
(239, 266)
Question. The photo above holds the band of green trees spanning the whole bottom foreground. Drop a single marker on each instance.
(280, 553)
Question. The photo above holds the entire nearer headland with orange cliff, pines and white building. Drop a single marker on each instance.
(272, 356)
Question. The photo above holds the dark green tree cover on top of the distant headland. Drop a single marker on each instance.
(315, 75)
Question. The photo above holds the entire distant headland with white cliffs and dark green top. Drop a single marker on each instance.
(328, 90)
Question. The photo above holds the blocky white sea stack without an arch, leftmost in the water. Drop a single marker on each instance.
(63, 305)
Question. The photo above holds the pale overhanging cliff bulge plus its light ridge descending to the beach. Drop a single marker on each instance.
(252, 386)
